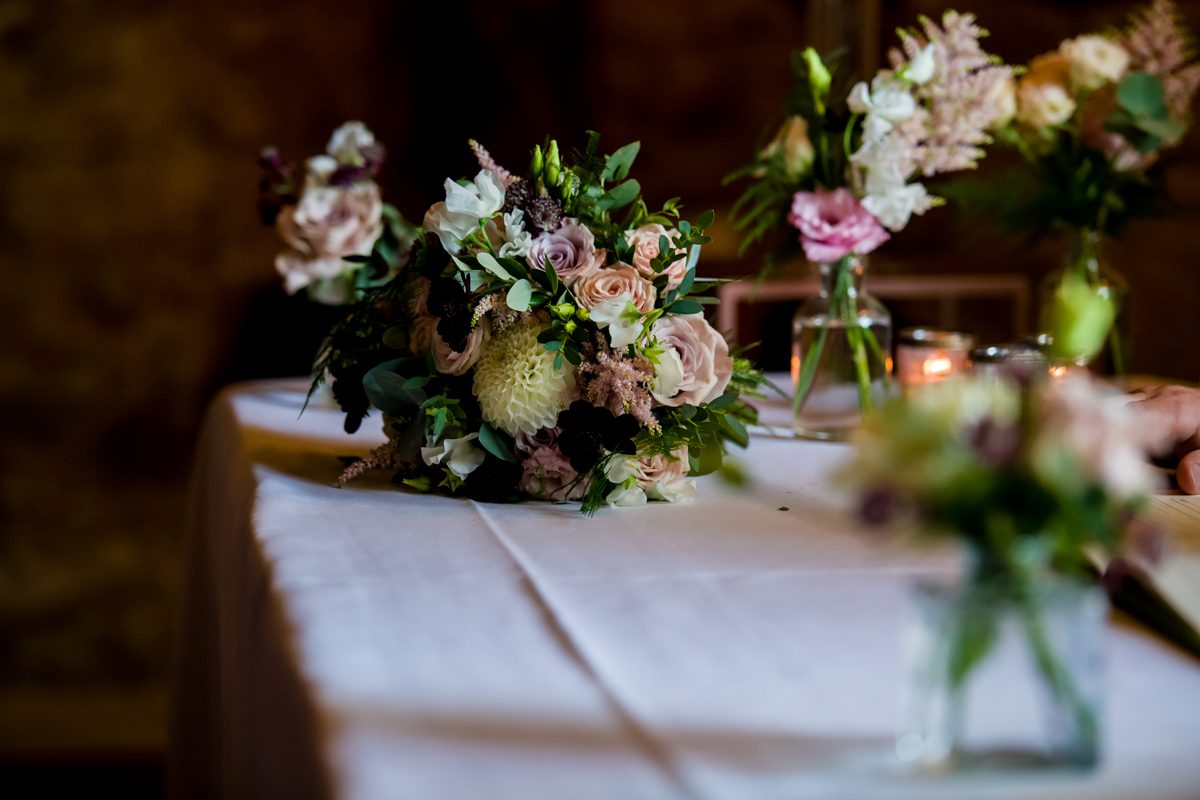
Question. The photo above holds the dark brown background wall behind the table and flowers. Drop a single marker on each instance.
(131, 252)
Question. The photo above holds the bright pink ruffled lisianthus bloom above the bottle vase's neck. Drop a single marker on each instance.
(835, 225)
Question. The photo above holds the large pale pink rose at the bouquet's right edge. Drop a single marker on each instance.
(700, 359)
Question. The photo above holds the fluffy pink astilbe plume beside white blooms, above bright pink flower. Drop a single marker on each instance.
(958, 105)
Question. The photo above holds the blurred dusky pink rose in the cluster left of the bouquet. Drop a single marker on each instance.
(328, 224)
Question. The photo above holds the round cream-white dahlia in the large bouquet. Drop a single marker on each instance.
(517, 383)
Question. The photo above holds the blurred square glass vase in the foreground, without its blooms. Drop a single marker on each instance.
(1005, 675)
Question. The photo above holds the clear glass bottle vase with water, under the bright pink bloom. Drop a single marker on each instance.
(842, 354)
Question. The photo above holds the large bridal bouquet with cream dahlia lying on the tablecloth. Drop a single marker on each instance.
(543, 340)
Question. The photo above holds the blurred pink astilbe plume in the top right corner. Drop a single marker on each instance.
(1161, 46)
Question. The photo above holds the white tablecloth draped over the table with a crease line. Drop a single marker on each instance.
(371, 643)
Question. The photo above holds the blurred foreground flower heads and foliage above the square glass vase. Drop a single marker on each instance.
(1025, 478)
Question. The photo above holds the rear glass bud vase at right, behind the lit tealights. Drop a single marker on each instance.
(1087, 258)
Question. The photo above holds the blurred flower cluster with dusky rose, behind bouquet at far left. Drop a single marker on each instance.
(340, 236)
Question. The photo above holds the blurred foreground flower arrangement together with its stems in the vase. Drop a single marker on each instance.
(1033, 482)
